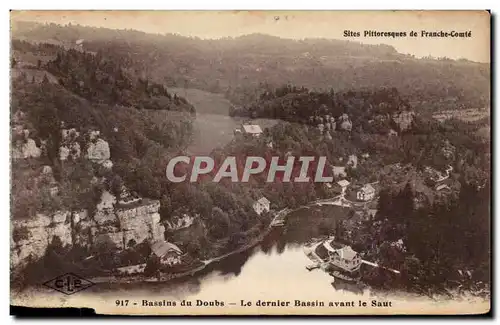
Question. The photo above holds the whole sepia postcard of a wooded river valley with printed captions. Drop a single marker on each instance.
(251, 162)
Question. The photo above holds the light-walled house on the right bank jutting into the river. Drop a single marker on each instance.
(339, 256)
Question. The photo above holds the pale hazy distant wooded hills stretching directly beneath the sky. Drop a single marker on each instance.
(236, 66)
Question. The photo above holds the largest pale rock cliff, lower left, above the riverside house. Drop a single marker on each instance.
(119, 227)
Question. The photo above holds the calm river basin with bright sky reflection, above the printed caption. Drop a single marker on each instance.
(274, 268)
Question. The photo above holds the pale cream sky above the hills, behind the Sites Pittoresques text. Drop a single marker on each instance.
(301, 24)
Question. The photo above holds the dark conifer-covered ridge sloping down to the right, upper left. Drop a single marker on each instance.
(103, 80)
